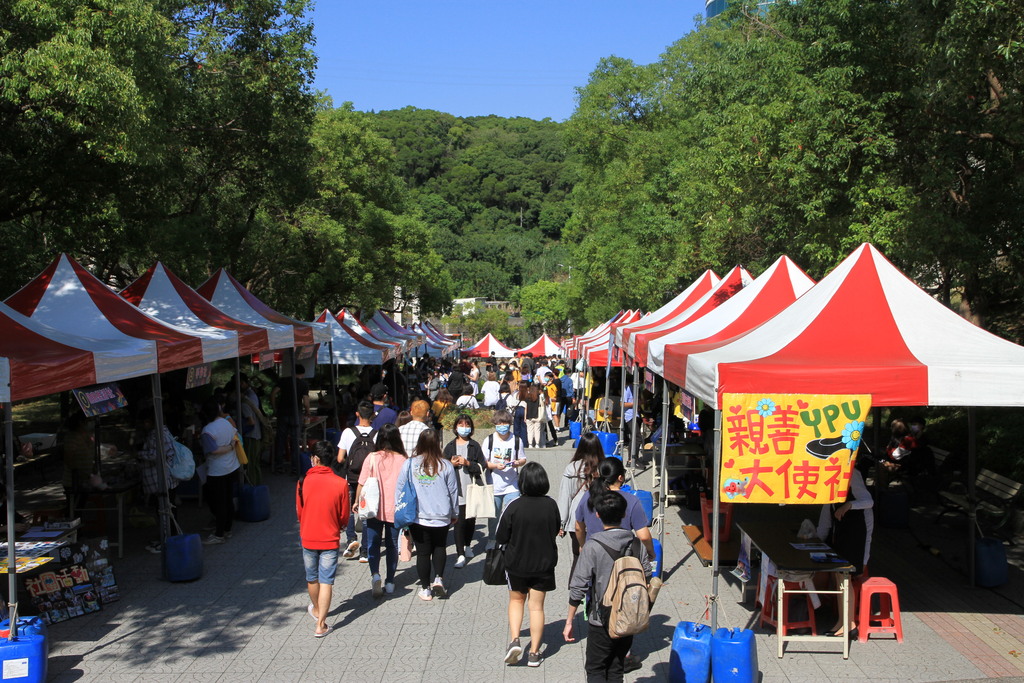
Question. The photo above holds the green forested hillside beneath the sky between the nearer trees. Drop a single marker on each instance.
(494, 190)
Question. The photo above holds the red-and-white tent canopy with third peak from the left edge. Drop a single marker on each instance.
(162, 294)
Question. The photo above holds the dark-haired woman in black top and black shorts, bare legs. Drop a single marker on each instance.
(528, 530)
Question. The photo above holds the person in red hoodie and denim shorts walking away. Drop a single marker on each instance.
(322, 505)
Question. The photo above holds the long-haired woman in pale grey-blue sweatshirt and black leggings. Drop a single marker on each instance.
(437, 509)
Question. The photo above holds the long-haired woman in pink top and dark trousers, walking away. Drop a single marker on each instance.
(386, 464)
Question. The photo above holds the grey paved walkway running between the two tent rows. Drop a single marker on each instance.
(245, 620)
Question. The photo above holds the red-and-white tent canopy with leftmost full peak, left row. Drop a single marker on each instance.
(68, 297)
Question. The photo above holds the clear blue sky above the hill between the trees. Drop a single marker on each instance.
(518, 58)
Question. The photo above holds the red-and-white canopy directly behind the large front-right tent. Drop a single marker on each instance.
(773, 291)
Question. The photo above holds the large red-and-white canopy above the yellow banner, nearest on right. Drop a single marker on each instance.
(866, 328)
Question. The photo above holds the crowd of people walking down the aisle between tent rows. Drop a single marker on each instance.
(395, 475)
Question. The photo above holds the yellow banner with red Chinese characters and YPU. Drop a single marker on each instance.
(790, 448)
